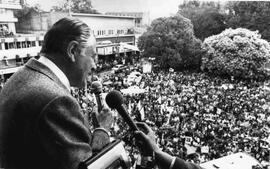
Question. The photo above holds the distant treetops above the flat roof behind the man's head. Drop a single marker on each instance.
(76, 6)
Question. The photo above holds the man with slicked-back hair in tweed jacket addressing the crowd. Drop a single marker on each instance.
(41, 124)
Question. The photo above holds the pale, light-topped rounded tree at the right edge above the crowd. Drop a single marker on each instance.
(237, 52)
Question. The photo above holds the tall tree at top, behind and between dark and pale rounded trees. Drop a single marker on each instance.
(206, 17)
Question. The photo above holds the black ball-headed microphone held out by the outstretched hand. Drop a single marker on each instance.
(115, 100)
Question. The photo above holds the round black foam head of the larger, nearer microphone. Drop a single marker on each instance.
(114, 99)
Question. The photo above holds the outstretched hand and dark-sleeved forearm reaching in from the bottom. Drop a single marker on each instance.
(146, 142)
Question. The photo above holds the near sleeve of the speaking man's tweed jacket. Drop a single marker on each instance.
(63, 132)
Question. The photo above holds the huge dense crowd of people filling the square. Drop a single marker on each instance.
(197, 117)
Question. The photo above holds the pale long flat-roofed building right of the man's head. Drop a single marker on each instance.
(110, 31)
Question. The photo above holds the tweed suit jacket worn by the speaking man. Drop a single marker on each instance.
(41, 124)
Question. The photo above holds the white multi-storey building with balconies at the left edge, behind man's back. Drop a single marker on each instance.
(15, 49)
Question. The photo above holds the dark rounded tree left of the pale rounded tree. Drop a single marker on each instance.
(172, 42)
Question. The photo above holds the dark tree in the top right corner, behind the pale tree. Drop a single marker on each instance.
(253, 15)
